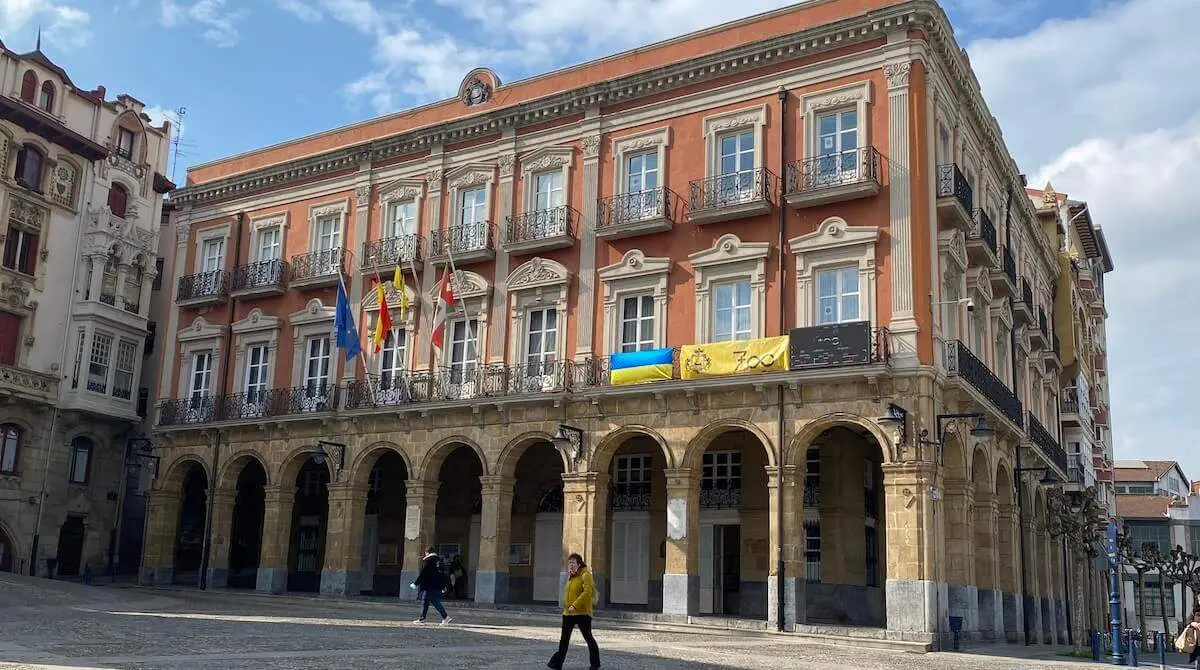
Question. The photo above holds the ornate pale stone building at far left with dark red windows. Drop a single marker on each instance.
(82, 189)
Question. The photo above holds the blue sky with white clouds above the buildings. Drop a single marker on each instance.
(1097, 97)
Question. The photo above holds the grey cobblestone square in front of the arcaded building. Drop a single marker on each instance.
(51, 625)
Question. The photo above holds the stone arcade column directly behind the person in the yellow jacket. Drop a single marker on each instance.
(585, 505)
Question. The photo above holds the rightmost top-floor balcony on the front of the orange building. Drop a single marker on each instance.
(833, 178)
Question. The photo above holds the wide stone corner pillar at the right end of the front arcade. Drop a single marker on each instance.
(913, 521)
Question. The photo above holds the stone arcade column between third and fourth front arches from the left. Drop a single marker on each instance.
(341, 575)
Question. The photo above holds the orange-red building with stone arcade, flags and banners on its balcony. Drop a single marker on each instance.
(821, 184)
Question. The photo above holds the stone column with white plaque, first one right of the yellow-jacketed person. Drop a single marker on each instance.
(681, 582)
